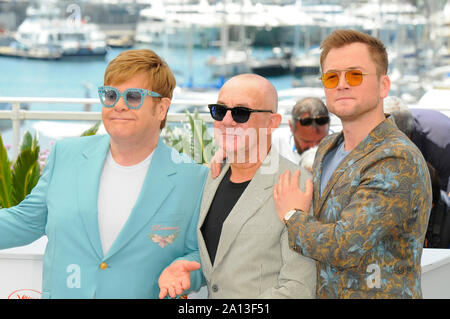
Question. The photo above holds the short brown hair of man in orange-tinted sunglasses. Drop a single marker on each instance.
(340, 38)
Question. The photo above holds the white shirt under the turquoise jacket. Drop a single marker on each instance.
(119, 189)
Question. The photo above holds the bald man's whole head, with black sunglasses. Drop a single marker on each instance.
(247, 141)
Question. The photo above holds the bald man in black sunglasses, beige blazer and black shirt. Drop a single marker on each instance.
(243, 245)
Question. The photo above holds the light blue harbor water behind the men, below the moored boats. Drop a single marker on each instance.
(79, 77)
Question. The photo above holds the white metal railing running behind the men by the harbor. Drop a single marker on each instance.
(17, 114)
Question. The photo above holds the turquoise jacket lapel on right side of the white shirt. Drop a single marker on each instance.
(157, 186)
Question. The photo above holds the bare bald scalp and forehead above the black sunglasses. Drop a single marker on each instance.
(259, 88)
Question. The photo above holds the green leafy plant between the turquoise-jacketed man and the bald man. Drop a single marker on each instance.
(191, 139)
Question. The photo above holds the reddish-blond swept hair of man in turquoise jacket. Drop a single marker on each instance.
(132, 62)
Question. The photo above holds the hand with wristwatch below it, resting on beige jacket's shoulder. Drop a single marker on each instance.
(287, 195)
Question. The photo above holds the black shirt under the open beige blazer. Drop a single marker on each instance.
(226, 197)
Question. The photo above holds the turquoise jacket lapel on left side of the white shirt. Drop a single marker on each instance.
(88, 181)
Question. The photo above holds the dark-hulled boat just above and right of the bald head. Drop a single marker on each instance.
(277, 64)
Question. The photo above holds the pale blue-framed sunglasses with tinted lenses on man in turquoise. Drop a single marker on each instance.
(134, 98)
